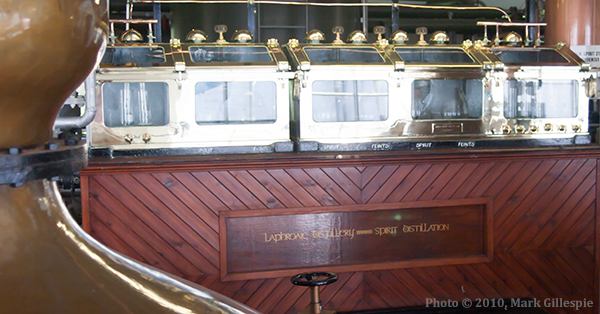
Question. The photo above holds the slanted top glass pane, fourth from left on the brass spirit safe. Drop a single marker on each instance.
(434, 55)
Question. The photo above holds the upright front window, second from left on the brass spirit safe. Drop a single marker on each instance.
(236, 102)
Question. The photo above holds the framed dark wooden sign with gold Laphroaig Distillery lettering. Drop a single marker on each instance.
(275, 243)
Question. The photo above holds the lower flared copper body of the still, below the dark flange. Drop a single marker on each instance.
(49, 265)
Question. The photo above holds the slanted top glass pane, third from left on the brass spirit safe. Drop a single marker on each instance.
(343, 55)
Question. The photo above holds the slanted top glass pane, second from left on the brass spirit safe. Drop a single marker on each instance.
(209, 54)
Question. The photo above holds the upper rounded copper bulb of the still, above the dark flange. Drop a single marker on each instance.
(48, 48)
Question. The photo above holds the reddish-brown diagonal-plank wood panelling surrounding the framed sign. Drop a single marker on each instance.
(166, 215)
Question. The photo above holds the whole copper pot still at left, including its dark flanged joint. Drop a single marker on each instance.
(48, 264)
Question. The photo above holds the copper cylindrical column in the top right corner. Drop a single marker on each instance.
(572, 22)
